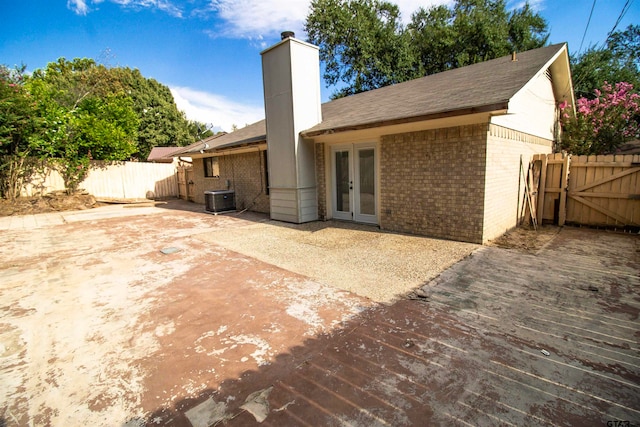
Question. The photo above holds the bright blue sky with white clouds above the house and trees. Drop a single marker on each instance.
(208, 51)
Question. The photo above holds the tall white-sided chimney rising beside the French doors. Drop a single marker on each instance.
(291, 78)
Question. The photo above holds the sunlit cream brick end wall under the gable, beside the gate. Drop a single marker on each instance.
(504, 189)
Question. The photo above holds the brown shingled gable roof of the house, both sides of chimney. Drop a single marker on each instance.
(482, 87)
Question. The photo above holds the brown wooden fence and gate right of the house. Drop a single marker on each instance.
(586, 190)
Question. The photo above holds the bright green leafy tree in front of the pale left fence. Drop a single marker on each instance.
(83, 117)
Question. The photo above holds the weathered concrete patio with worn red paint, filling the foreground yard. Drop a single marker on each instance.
(99, 327)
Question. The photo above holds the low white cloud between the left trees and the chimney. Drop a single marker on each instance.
(215, 110)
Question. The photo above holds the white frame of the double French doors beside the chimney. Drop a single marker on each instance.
(353, 211)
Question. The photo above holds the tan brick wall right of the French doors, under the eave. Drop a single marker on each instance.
(432, 182)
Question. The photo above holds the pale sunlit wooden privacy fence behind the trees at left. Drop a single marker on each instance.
(113, 180)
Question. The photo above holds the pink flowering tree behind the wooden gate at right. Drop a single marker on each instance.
(604, 123)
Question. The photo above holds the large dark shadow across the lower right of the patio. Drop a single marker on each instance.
(470, 353)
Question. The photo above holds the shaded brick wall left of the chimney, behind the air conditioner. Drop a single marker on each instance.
(245, 174)
